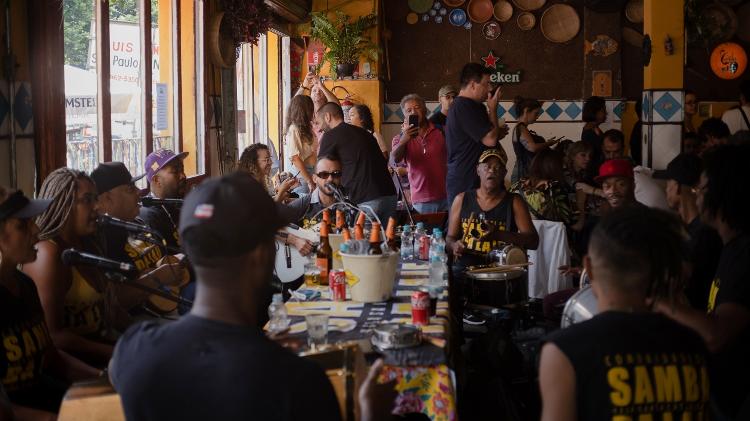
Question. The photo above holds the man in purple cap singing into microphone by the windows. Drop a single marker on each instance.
(165, 173)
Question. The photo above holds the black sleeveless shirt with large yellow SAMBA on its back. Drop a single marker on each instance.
(631, 364)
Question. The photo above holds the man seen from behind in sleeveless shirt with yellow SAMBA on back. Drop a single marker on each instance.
(627, 363)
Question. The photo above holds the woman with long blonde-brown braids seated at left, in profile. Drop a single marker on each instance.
(73, 297)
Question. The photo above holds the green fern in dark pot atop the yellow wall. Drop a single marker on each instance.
(345, 41)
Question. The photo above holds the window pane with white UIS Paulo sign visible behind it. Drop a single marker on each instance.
(126, 84)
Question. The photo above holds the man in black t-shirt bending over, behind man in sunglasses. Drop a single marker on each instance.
(365, 170)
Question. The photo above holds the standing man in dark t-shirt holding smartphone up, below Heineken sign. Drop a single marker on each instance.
(472, 128)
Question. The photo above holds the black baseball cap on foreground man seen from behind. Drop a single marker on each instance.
(225, 217)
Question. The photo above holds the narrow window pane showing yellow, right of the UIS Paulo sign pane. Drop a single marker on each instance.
(164, 65)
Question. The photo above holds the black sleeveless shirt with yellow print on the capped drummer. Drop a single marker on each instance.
(499, 218)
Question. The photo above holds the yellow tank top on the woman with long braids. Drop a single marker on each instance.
(83, 306)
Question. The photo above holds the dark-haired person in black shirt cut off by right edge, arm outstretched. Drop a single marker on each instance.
(723, 204)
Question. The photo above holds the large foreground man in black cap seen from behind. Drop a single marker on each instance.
(215, 363)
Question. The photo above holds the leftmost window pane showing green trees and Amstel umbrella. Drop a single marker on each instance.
(79, 30)
